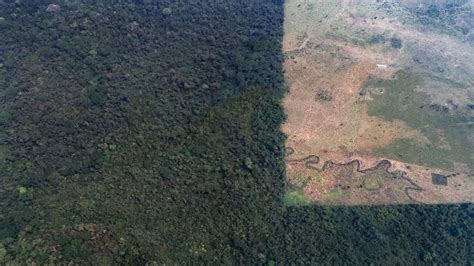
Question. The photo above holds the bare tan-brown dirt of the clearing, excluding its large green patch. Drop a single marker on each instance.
(331, 137)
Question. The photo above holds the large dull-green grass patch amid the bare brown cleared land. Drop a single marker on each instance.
(401, 101)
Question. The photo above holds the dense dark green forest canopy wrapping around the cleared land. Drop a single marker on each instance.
(149, 132)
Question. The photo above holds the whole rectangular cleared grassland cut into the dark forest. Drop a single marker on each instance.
(367, 81)
